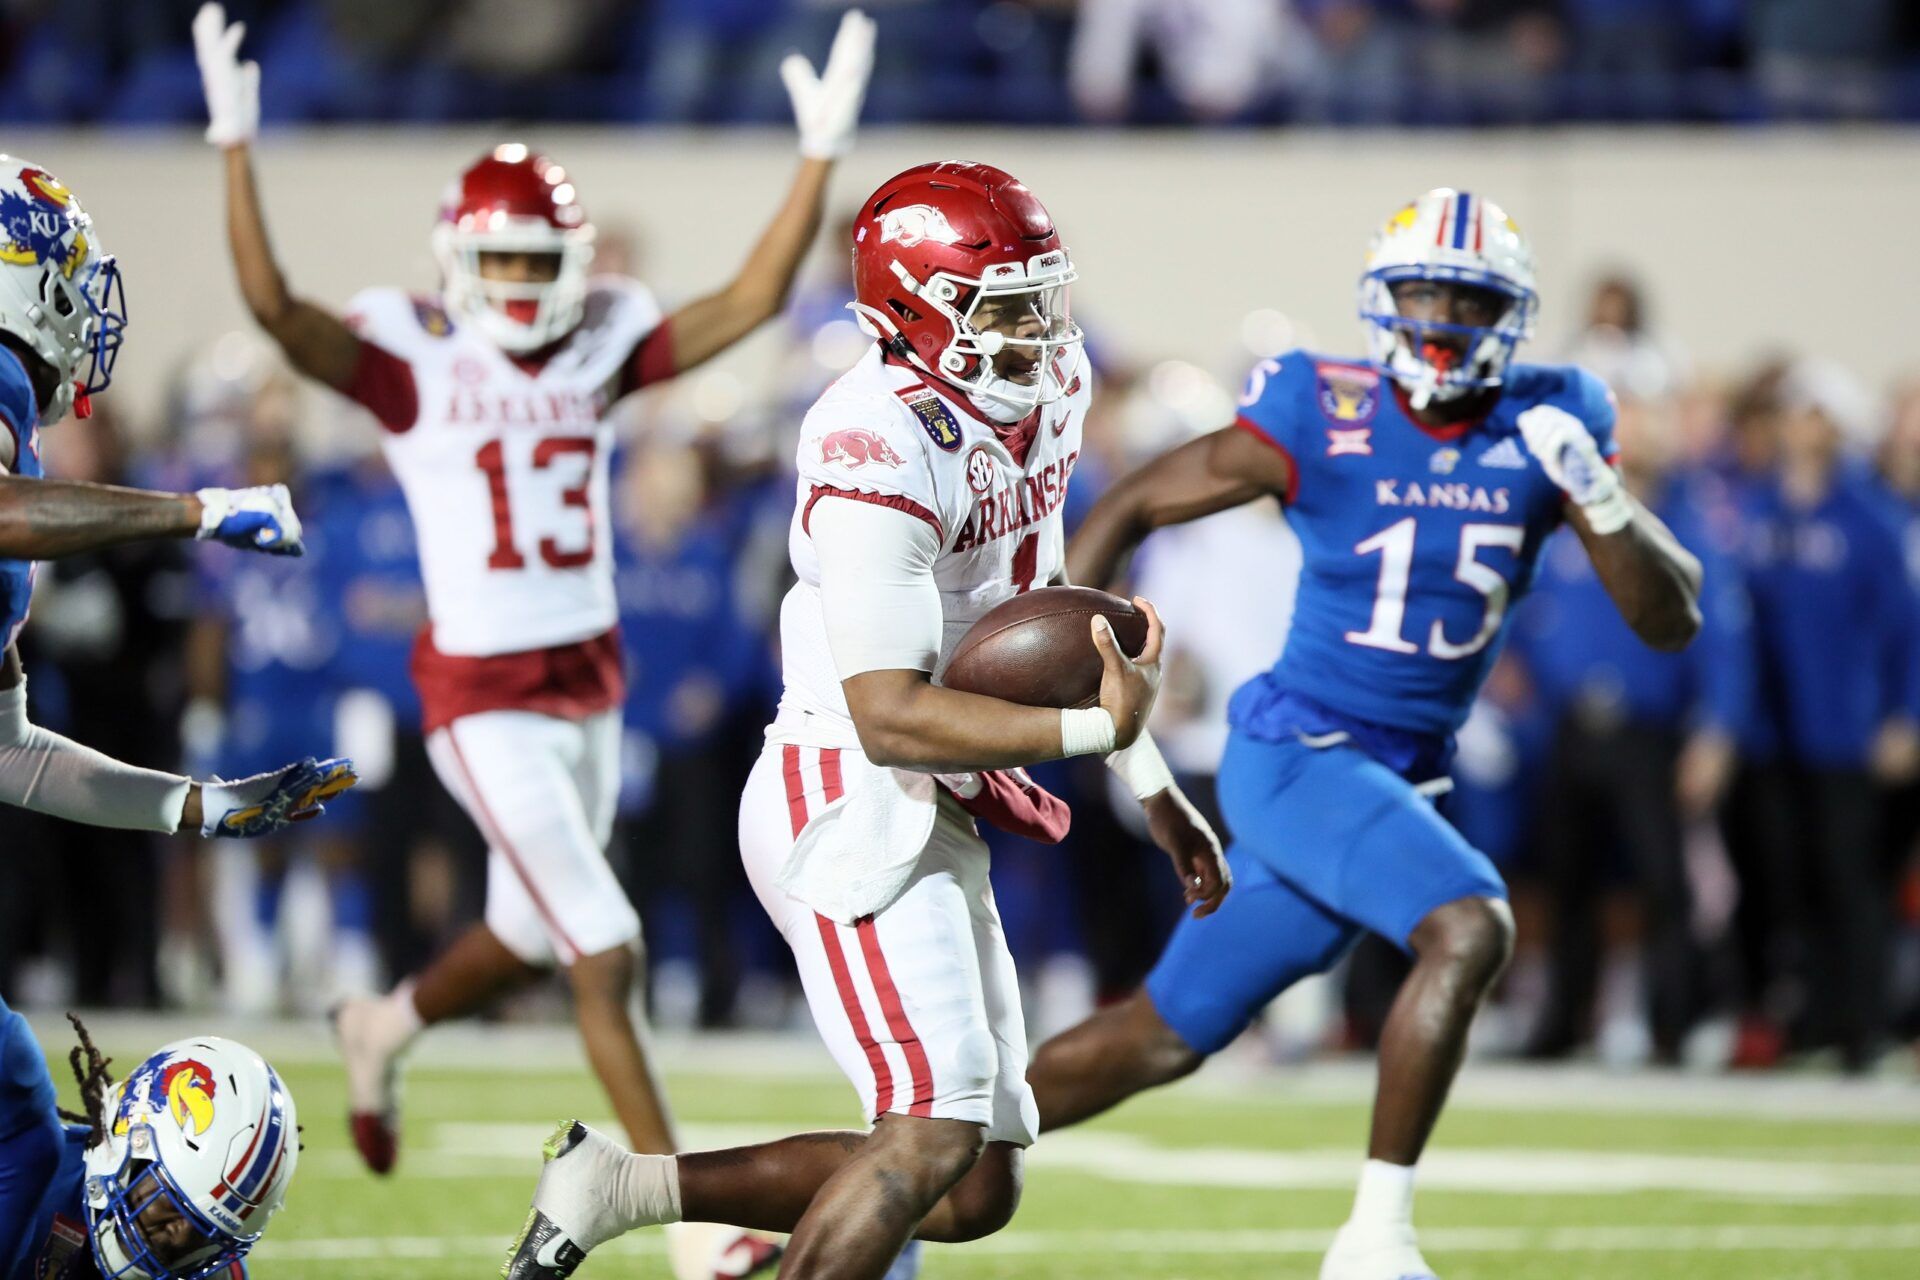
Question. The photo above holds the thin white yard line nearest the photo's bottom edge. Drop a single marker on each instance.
(1744, 1239)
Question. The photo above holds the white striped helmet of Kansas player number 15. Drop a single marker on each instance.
(1454, 239)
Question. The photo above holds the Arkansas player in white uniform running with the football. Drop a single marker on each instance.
(930, 490)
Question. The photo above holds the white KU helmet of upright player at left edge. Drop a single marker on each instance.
(60, 295)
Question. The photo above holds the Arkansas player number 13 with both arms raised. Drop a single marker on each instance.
(494, 400)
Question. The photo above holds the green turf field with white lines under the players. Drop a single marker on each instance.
(1236, 1175)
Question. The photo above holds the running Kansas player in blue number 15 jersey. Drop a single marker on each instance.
(1422, 485)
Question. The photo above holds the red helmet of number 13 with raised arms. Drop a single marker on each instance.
(516, 202)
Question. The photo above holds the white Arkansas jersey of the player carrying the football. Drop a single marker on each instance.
(996, 494)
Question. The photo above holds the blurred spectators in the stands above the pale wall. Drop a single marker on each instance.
(1157, 62)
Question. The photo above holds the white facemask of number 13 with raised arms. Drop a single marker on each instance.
(517, 316)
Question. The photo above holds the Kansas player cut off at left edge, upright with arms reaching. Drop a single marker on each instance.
(62, 318)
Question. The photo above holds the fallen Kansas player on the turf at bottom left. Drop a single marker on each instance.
(168, 1175)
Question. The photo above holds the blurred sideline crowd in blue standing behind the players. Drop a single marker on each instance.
(1714, 853)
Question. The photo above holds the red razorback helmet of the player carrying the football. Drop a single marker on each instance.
(957, 268)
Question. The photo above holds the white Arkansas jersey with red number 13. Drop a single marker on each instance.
(506, 469)
